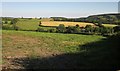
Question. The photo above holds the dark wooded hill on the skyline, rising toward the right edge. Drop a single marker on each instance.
(102, 18)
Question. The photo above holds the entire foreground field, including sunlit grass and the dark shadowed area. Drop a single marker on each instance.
(22, 49)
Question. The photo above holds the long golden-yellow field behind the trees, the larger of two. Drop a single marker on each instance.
(56, 23)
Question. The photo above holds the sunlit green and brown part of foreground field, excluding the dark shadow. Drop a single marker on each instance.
(22, 44)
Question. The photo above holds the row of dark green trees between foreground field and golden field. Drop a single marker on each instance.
(88, 29)
